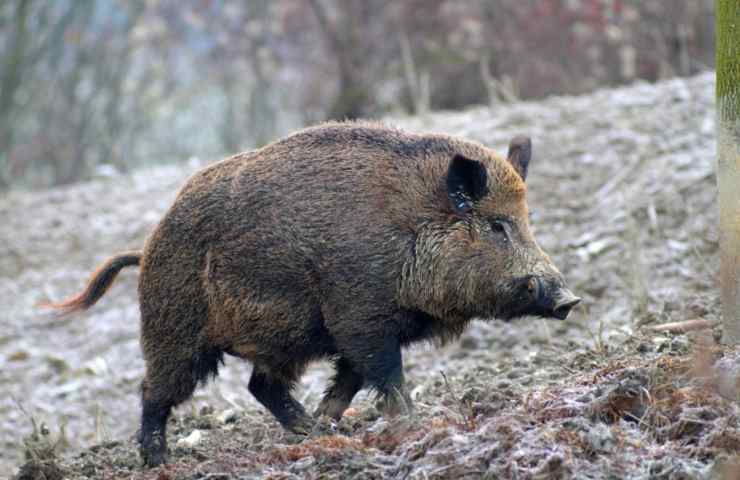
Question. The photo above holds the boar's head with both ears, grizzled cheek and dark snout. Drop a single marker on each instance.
(480, 259)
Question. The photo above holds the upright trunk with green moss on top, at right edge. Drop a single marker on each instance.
(728, 164)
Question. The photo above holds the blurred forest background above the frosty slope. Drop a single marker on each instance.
(90, 87)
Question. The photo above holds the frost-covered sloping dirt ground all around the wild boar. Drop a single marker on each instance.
(623, 197)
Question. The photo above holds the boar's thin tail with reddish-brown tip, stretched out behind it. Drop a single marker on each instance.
(99, 282)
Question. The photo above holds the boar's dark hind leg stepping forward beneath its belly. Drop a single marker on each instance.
(274, 393)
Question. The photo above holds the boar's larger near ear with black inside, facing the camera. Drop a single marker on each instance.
(466, 183)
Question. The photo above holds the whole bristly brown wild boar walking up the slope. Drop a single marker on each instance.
(345, 240)
